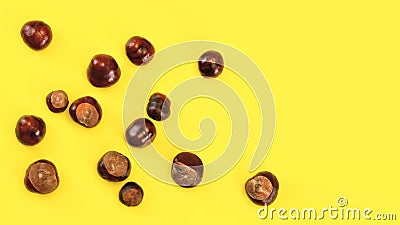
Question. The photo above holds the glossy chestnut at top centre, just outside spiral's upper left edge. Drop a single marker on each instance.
(139, 50)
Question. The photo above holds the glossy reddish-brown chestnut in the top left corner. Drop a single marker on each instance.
(36, 34)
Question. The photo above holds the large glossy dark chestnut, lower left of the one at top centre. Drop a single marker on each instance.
(103, 71)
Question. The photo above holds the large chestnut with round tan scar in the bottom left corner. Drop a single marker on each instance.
(41, 177)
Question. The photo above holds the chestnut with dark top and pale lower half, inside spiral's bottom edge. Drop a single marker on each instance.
(187, 169)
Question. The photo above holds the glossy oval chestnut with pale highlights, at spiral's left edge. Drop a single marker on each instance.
(140, 133)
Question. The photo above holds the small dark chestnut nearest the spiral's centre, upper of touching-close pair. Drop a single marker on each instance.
(158, 107)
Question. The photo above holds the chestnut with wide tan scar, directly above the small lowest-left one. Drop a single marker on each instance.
(113, 166)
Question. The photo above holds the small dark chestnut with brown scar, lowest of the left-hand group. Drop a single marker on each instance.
(131, 194)
